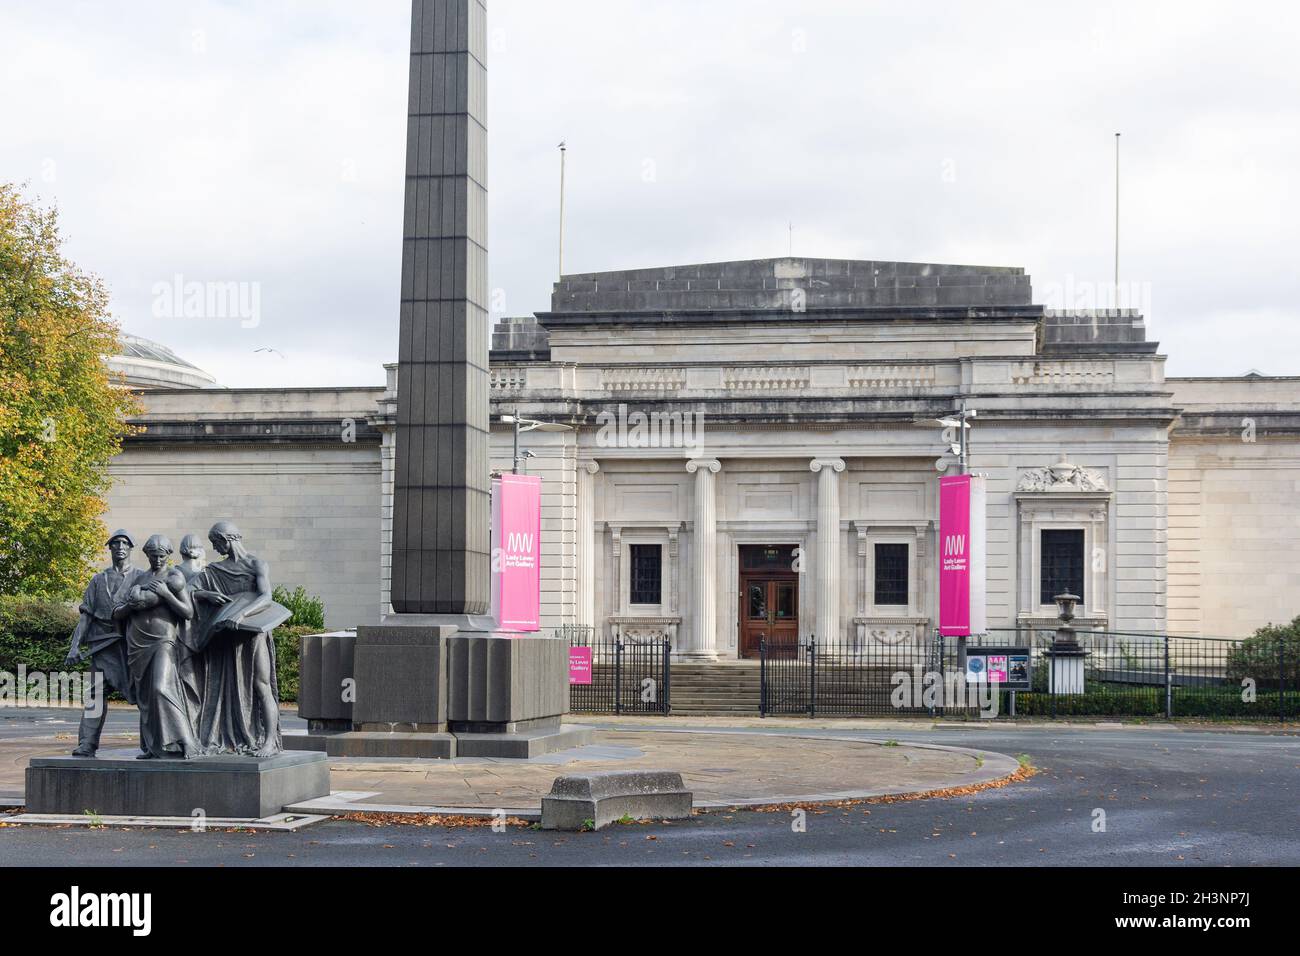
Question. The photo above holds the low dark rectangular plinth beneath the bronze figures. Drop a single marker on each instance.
(118, 785)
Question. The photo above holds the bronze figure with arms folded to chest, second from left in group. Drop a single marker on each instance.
(155, 611)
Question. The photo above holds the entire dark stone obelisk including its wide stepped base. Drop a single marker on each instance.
(434, 680)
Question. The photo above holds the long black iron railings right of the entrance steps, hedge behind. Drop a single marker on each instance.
(1123, 676)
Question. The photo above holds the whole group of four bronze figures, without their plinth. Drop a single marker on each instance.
(190, 646)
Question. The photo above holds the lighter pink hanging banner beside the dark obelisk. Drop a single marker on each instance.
(517, 555)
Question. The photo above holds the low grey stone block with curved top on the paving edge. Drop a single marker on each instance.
(606, 798)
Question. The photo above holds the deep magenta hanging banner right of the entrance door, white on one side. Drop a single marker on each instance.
(961, 556)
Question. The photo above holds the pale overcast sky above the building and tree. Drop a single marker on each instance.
(263, 142)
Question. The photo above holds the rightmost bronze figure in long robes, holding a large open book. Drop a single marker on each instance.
(240, 710)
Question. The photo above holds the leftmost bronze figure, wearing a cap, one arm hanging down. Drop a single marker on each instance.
(99, 638)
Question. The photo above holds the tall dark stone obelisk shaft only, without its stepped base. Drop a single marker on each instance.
(441, 507)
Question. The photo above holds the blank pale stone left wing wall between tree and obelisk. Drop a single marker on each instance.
(298, 470)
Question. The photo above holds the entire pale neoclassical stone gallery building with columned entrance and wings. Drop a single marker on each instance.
(756, 452)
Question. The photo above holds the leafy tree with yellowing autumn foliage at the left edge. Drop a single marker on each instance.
(63, 414)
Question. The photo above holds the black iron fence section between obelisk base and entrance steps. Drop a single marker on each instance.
(629, 677)
